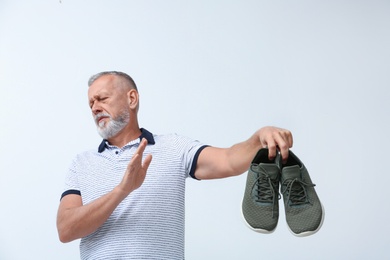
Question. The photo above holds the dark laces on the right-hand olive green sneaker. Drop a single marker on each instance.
(296, 191)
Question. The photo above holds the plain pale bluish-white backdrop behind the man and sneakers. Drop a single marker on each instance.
(212, 70)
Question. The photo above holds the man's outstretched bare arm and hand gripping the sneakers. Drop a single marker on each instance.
(216, 163)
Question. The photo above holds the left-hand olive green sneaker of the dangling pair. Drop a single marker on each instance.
(260, 207)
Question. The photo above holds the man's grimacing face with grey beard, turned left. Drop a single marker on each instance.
(109, 106)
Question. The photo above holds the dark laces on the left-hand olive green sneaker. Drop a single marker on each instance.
(265, 189)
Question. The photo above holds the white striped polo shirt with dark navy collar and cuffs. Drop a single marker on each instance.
(149, 223)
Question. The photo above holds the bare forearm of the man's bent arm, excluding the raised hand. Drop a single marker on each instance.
(78, 222)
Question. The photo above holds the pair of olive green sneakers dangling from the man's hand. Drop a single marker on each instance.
(260, 206)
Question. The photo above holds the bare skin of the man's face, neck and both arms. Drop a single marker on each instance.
(110, 94)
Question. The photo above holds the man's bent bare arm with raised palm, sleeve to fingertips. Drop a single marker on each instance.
(75, 220)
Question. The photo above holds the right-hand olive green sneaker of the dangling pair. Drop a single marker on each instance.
(304, 211)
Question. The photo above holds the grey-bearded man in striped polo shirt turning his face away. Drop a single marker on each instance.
(125, 205)
